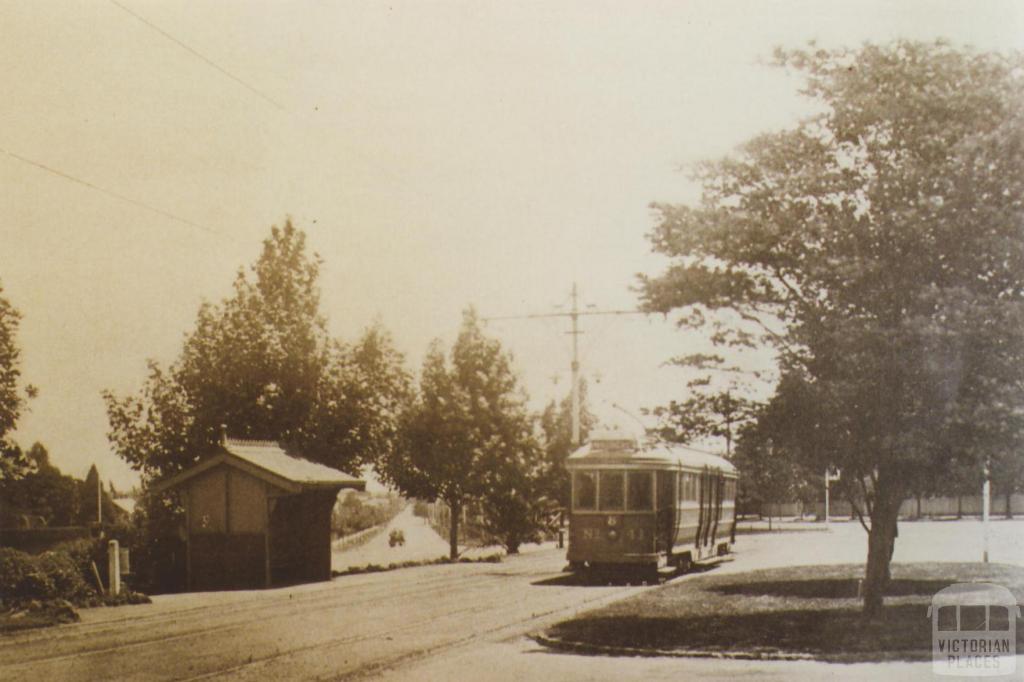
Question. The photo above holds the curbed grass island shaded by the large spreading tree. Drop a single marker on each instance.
(812, 611)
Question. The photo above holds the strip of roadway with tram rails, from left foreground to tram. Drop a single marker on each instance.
(347, 628)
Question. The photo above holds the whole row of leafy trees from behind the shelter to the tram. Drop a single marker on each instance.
(264, 364)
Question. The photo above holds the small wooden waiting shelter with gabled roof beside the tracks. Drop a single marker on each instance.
(257, 517)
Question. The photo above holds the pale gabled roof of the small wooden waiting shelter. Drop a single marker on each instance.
(268, 460)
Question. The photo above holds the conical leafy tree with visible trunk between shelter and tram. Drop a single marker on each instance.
(470, 438)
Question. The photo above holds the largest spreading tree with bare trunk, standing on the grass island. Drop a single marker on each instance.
(879, 246)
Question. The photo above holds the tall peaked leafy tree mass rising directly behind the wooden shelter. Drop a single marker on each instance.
(263, 364)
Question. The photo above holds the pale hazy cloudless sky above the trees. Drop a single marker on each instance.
(438, 155)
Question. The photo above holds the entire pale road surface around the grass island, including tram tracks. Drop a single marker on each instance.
(463, 622)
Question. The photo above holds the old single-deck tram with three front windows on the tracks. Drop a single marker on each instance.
(662, 507)
